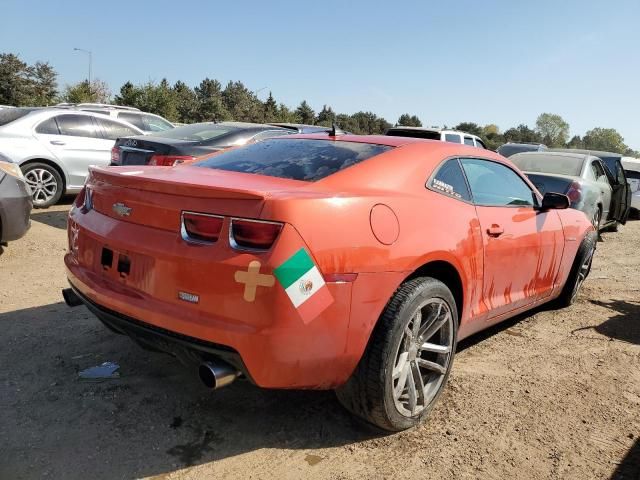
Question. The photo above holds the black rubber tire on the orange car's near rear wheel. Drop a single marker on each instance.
(369, 391)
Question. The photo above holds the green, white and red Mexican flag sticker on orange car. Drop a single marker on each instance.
(304, 285)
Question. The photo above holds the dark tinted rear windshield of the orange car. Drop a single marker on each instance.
(297, 159)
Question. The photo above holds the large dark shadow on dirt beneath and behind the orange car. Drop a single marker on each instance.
(157, 417)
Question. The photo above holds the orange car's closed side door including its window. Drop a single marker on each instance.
(521, 243)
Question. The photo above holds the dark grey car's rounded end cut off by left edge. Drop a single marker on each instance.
(15, 202)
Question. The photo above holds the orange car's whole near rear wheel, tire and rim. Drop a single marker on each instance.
(407, 362)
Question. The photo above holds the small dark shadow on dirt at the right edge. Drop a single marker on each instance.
(624, 325)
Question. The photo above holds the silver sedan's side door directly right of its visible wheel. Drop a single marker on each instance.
(75, 140)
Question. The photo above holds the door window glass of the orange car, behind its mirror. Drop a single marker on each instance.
(494, 184)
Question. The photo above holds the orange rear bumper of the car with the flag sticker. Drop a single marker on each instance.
(266, 338)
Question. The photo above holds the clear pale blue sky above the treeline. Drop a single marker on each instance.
(500, 62)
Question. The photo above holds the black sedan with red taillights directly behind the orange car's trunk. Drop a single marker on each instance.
(183, 144)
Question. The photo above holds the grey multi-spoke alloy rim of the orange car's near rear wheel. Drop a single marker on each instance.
(423, 357)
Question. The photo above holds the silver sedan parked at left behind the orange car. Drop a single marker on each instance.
(54, 147)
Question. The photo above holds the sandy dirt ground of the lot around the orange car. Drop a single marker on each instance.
(554, 394)
